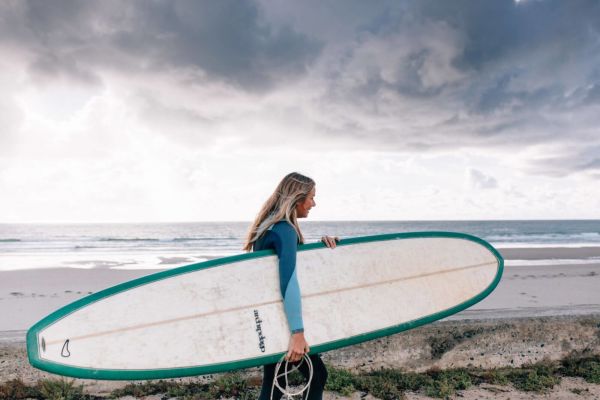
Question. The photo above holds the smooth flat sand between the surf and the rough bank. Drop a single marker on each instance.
(531, 290)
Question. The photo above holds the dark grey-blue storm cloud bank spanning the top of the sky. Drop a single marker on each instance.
(414, 76)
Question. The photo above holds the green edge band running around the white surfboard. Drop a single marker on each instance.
(115, 374)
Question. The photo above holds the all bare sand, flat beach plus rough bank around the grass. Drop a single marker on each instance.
(537, 312)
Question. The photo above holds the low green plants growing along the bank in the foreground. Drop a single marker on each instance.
(386, 384)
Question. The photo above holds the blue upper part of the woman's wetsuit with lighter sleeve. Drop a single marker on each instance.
(282, 238)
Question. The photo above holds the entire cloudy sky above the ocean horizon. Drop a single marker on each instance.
(163, 111)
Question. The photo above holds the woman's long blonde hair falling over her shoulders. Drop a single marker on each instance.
(281, 205)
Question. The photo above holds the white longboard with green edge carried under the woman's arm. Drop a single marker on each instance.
(227, 313)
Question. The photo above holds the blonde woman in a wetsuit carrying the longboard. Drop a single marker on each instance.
(276, 227)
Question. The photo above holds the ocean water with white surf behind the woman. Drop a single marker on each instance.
(168, 245)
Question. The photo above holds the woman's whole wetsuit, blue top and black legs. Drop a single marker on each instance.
(282, 238)
